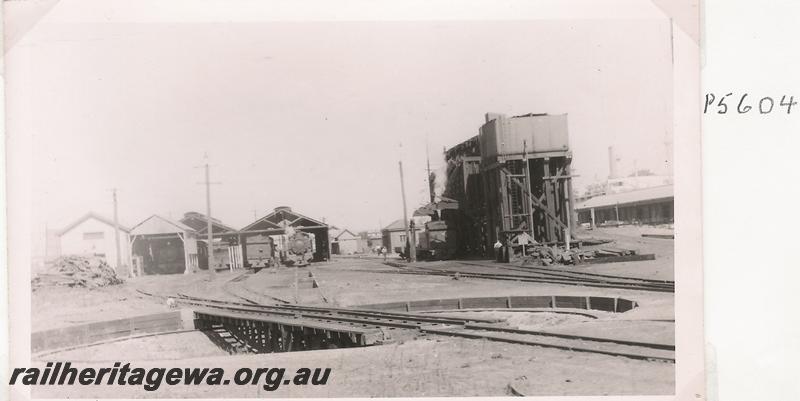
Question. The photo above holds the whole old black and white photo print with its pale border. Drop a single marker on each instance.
(248, 200)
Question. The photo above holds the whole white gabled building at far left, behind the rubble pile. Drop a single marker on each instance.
(94, 235)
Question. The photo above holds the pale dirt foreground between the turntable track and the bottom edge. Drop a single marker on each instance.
(424, 367)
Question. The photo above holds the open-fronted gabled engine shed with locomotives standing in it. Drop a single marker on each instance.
(272, 228)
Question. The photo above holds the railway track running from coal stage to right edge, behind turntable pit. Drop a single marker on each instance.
(538, 277)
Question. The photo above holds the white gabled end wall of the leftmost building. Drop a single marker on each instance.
(94, 237)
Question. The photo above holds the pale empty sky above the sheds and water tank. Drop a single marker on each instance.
(316, 115)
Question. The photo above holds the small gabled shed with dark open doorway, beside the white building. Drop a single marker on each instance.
(162, 246)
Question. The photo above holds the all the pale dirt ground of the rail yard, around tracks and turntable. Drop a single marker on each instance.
(427, 366)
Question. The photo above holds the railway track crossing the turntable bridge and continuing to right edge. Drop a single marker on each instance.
(468, 327)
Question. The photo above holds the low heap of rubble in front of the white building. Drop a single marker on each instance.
(77, 271)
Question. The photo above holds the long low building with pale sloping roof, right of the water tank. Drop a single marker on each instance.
(654, 205)
